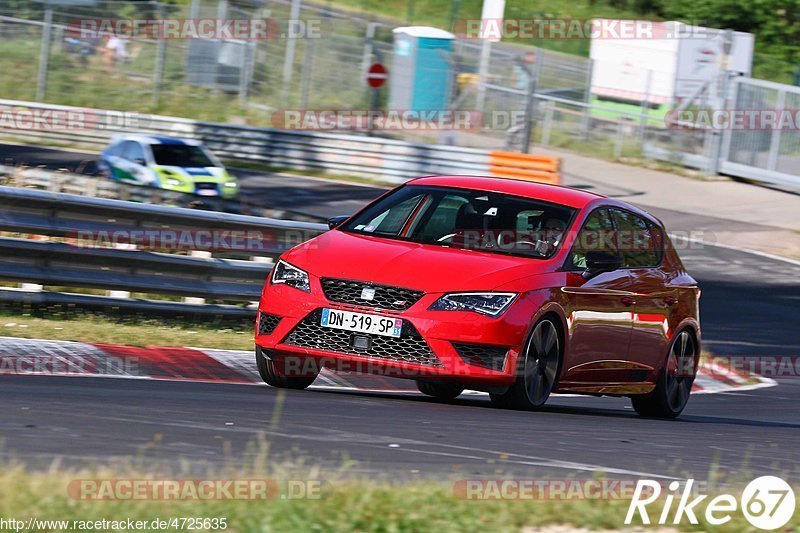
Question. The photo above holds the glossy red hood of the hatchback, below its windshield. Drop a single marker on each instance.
(425, 267)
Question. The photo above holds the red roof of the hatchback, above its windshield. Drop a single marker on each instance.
(529, 189)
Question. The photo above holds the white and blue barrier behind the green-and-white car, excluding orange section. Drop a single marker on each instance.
(349, 154)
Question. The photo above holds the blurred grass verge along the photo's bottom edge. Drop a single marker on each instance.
(342, 502)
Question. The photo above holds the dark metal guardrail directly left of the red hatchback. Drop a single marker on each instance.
(110, 244)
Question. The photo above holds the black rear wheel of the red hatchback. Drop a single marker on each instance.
(674, 384)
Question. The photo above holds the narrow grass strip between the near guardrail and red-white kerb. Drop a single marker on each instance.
(129, 331)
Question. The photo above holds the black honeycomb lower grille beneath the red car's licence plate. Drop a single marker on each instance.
(410, 347)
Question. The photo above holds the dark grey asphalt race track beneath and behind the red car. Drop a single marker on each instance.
(750, 306)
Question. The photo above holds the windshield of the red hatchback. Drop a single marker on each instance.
(467, 219)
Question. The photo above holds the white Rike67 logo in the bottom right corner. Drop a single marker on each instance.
(767, 502)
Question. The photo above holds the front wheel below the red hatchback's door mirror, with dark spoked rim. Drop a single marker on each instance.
(537, 370)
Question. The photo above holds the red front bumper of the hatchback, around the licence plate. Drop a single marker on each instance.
(449, 345)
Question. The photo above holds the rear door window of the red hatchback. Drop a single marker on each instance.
(639, 241)
